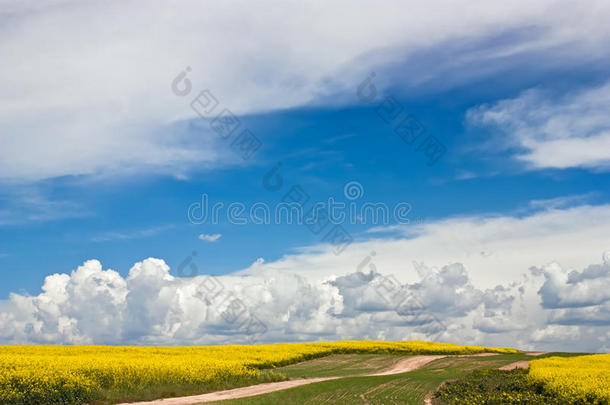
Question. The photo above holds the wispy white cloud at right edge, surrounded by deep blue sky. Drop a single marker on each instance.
(572, 130)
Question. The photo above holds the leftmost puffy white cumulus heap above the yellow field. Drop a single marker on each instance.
(83, 307)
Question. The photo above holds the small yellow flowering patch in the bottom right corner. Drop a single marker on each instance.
(580, 378)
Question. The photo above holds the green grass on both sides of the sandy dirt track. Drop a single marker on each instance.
(406, 388)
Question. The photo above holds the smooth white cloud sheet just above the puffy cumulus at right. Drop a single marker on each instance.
(496, 249)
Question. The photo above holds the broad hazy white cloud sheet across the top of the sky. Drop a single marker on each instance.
(94, 78)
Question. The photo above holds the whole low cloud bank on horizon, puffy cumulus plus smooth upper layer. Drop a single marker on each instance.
(315, 295)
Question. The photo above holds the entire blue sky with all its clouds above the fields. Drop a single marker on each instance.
(101, 161)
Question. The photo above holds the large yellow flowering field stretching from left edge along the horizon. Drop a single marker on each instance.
(80, 374)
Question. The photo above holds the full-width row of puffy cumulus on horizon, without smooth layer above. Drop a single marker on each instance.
(150, 306)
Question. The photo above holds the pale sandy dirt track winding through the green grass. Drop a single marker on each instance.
(409, 363)
